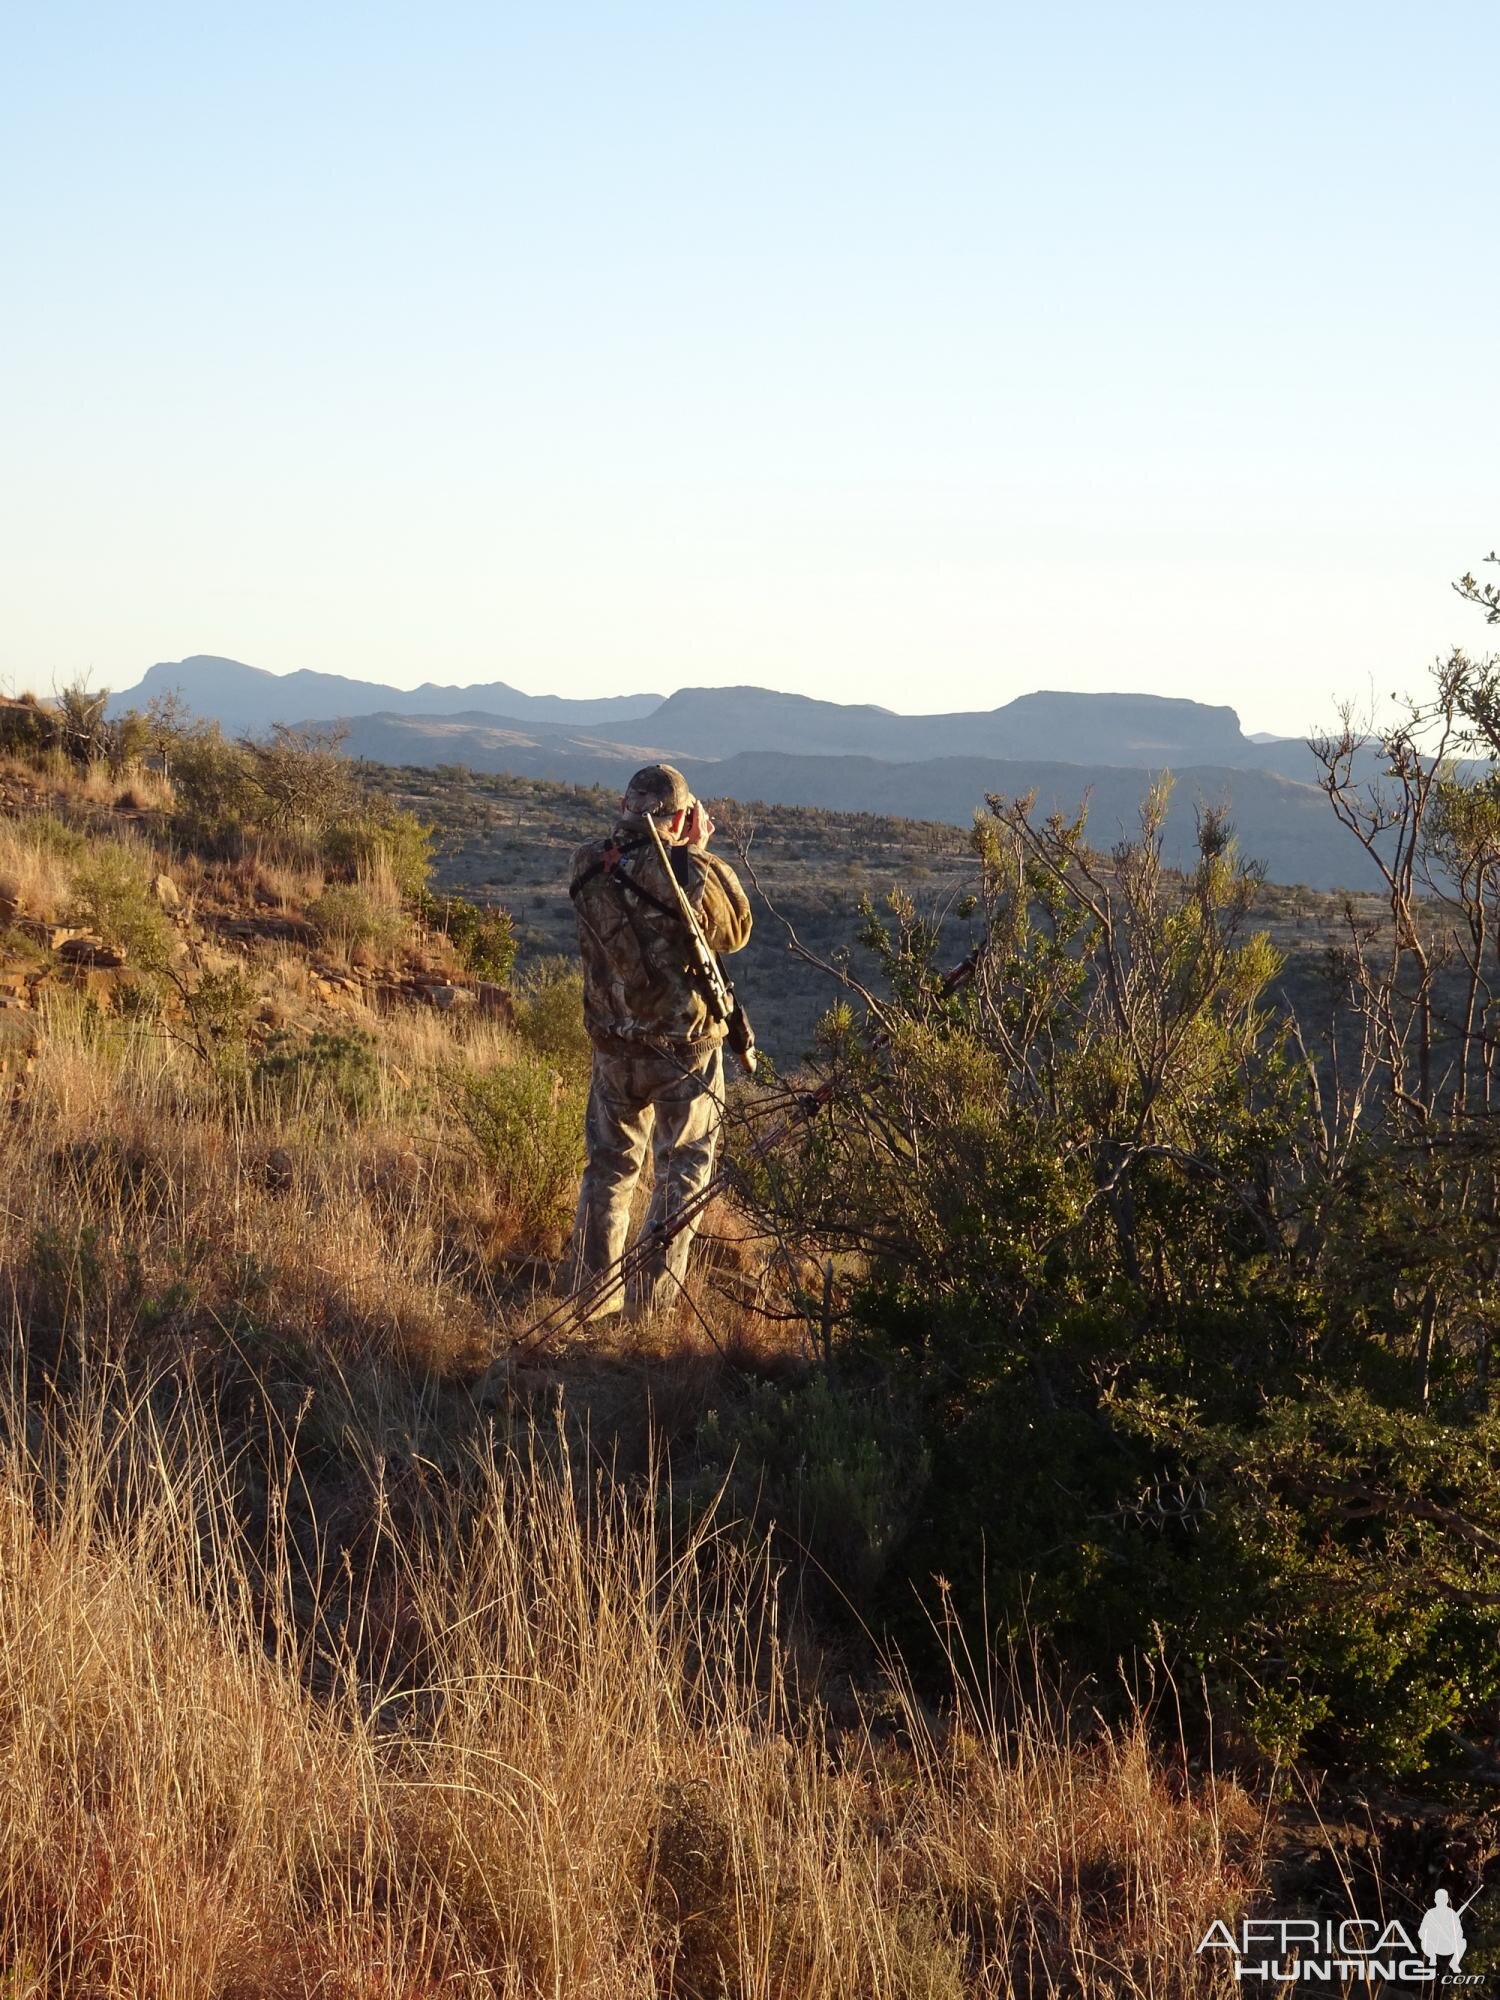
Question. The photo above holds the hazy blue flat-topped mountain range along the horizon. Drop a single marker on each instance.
(789, 749)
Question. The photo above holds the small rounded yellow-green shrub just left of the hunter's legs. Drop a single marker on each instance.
(527, 1123)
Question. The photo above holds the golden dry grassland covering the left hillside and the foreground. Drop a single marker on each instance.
(323, 1677)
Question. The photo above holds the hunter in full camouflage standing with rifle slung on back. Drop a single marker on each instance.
(659, 1053)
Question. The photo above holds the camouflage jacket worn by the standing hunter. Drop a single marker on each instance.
(637, 983)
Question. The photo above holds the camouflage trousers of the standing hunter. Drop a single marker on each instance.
(675, 1105)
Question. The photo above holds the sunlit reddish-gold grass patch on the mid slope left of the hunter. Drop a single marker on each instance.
(339, 1227)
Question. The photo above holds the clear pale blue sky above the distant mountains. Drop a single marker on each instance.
(921, 355)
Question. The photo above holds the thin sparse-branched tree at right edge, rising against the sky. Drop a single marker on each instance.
(1419, 1063)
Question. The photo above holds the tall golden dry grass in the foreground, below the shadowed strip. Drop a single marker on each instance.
(537, 1745)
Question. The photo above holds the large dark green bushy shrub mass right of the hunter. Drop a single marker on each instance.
(1189, 1383)
